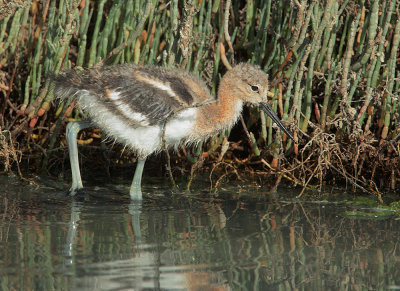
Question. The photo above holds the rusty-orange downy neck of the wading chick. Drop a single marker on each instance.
(223, 114)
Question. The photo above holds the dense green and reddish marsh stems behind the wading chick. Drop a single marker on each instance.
(333, 67)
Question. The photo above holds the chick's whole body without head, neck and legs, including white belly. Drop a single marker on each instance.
(137, 106)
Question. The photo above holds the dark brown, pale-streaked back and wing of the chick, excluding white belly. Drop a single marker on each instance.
(143, 96)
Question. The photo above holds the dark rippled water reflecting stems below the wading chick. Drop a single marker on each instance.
(240, 239)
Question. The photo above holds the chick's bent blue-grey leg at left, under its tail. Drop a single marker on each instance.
(71, 134)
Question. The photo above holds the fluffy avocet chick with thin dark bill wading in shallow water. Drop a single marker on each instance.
(148, 108)
